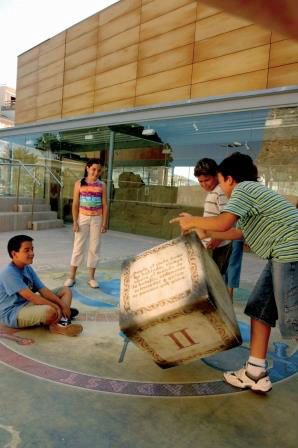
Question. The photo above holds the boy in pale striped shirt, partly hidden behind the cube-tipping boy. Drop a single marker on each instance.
(206, 173)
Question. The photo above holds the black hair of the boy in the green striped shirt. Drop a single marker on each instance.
(240, 167)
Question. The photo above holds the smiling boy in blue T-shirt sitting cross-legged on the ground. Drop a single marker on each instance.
(24, 299)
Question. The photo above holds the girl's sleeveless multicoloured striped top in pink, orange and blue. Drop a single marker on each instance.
(91, 198)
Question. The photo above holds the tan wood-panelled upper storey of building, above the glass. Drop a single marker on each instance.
(140, 52)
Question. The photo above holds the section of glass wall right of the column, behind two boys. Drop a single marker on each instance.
(155, 183)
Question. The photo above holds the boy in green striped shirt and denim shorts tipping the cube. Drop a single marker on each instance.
(269, 224)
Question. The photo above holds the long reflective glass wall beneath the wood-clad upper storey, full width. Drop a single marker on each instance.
(153, 162)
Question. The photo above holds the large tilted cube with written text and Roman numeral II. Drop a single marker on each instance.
(174, 303)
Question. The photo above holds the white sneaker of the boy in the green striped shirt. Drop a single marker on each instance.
(243, 380)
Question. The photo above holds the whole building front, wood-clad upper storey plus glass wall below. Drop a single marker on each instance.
(150, 87)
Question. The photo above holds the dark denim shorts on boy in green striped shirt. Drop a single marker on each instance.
(275, 296)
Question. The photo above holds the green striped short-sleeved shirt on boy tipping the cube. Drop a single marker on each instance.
(268, 221)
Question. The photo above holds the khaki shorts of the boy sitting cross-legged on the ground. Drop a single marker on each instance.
(32, 315)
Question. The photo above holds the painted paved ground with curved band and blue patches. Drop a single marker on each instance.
(73, 392)
